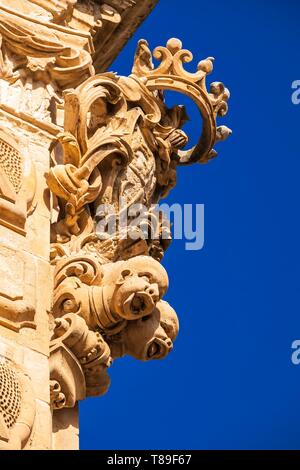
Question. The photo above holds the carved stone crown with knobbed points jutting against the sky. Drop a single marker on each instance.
(170, 75)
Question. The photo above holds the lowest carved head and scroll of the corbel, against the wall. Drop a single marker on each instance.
(79, 358)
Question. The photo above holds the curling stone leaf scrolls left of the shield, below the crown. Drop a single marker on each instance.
(93, 152)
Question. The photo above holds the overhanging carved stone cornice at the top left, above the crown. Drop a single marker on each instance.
(53, 44)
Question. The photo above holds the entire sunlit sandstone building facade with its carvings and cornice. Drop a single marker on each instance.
(79, 148)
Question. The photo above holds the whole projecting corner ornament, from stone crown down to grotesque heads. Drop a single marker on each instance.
(120, 142)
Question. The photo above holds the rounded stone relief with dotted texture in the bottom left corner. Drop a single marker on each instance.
(17, 407)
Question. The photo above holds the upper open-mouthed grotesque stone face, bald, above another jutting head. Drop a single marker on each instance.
(139, 288)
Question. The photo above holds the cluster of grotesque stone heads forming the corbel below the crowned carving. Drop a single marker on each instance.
(103, 312)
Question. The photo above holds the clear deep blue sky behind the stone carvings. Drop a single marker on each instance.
(229, 383)
